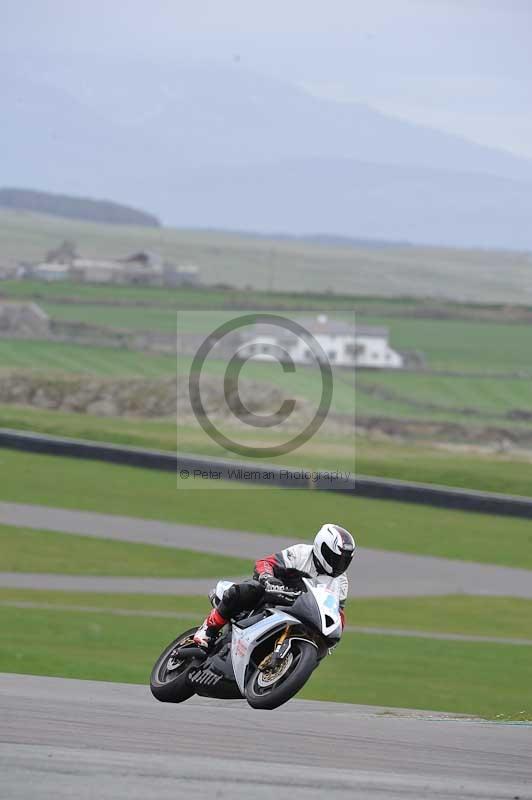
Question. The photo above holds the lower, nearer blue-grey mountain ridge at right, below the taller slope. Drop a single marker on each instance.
(366, 200)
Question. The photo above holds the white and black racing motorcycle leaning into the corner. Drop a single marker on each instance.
(265, 656)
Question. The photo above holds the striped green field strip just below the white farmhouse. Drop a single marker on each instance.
(463, 400)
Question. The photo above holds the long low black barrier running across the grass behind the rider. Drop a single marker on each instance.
(361, 486)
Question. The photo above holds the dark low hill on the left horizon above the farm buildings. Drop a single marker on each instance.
(60, 205)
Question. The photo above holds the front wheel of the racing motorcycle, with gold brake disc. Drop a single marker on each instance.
(270, 688)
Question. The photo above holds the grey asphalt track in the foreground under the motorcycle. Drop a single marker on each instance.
(66, 738)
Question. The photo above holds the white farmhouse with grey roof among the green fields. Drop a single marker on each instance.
(343, 344)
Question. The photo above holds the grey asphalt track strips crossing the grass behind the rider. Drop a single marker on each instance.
(375, 573)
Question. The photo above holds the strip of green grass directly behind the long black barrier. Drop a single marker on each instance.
(496, 472)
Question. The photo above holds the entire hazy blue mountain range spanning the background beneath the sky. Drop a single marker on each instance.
(213, 147)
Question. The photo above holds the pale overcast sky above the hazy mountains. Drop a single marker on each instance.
(463, 66)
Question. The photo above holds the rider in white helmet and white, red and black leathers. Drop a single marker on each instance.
(325, 561)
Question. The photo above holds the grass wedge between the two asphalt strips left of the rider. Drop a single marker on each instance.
(25, 550)
